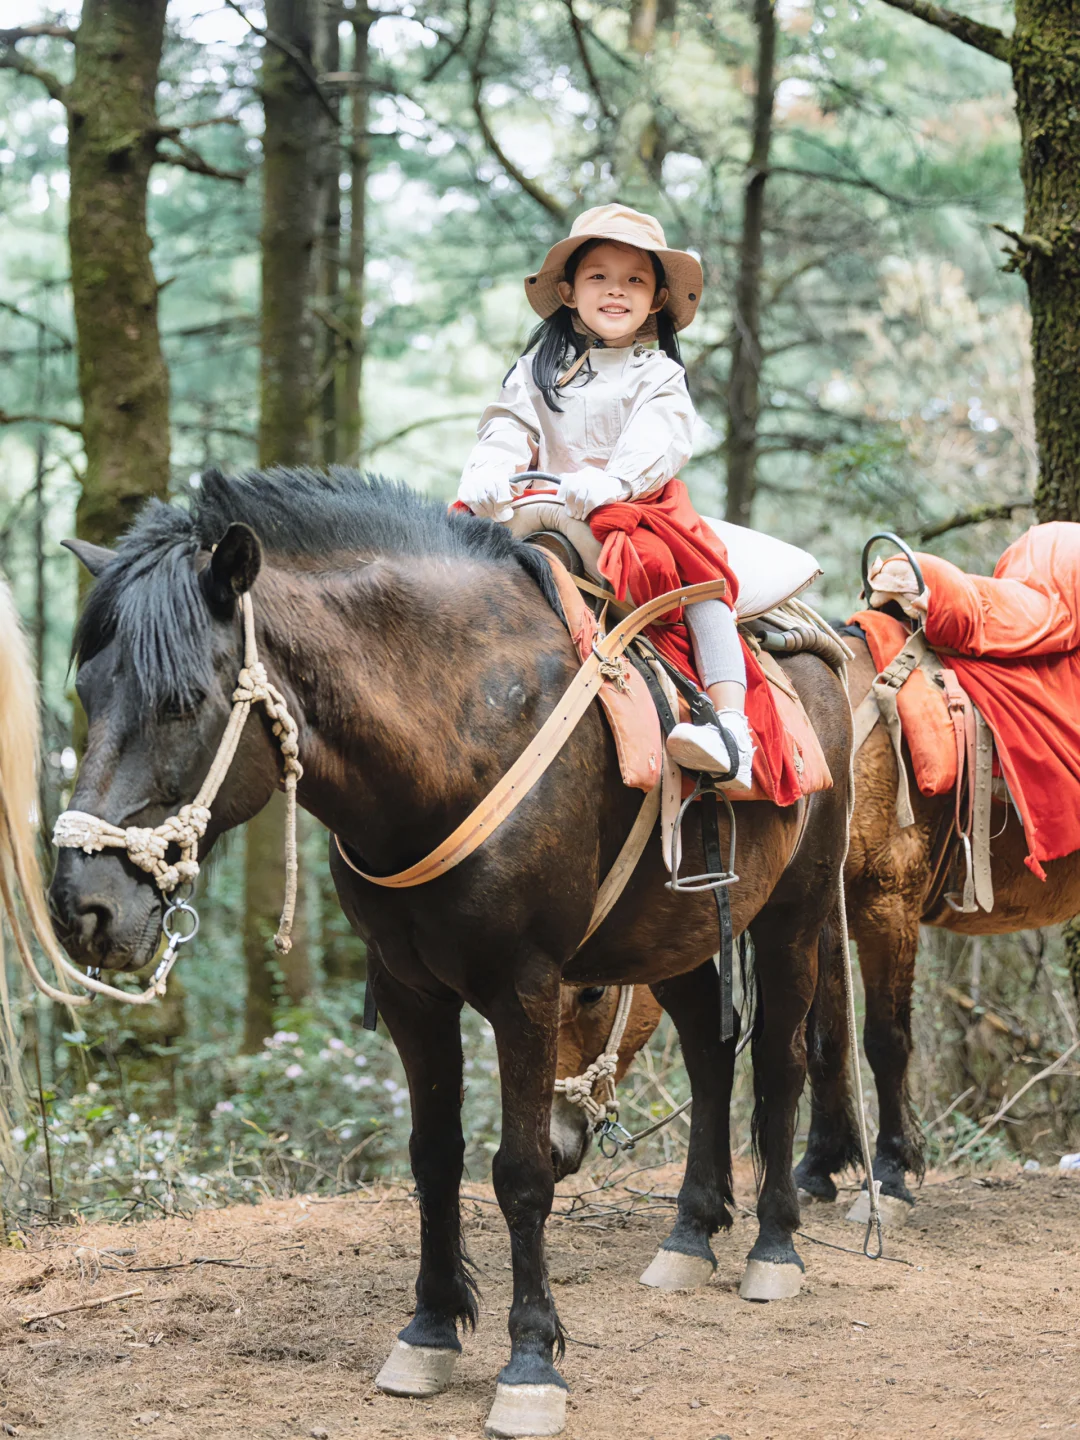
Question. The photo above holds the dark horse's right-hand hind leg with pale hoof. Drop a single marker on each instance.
(787, 978)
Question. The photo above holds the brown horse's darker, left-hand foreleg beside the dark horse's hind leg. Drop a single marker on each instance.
(833, 1141)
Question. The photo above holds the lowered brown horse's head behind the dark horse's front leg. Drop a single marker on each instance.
(588, 1014)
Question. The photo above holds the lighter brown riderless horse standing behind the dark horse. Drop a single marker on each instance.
(895, 881)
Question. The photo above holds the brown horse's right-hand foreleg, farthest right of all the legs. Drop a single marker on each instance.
(888, 942)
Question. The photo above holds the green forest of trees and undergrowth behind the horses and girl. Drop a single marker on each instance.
(296, 233)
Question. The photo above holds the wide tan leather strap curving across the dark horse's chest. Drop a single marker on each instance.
(534, 762)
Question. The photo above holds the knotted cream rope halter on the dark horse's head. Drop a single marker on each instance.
(149, 847)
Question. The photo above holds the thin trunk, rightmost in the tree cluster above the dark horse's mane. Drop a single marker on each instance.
(352, 436)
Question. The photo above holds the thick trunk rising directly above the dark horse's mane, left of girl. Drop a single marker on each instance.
(290, 194)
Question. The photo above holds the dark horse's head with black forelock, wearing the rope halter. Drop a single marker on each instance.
(159, 650)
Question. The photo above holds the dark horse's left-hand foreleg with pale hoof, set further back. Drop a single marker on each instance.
(427, 1033)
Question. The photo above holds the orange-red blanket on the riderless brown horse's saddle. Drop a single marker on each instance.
(1014, 643)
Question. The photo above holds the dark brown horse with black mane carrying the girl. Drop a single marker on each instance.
(420, 653)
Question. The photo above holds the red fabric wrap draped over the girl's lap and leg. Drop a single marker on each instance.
(659, 544)
